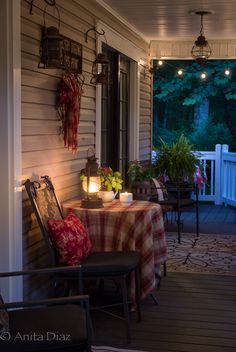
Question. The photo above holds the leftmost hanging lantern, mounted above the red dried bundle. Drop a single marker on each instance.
(51, 47)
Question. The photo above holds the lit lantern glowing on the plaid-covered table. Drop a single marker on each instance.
(91, 185)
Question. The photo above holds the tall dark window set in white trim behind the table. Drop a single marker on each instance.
(115, 115)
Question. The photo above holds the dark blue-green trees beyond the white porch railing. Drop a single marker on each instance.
(176, 101)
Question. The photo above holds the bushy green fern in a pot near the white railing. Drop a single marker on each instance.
(176, 160)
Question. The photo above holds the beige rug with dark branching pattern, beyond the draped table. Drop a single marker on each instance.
(206, 254)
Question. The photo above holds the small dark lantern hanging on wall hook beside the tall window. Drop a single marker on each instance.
(101, 70)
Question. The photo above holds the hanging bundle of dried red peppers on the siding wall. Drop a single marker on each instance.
(68, 105)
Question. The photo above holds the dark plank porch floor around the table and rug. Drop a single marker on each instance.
(196, 313)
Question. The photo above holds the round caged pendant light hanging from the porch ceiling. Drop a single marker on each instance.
(201, 50)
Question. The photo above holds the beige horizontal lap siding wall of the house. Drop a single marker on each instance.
(43, 151)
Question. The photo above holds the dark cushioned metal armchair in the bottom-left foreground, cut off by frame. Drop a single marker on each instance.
(55, 324)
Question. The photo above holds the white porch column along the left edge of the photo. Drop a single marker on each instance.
(10, 146)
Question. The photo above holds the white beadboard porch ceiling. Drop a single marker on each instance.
(171, 19)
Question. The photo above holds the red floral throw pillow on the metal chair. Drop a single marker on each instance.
(71, 239)
